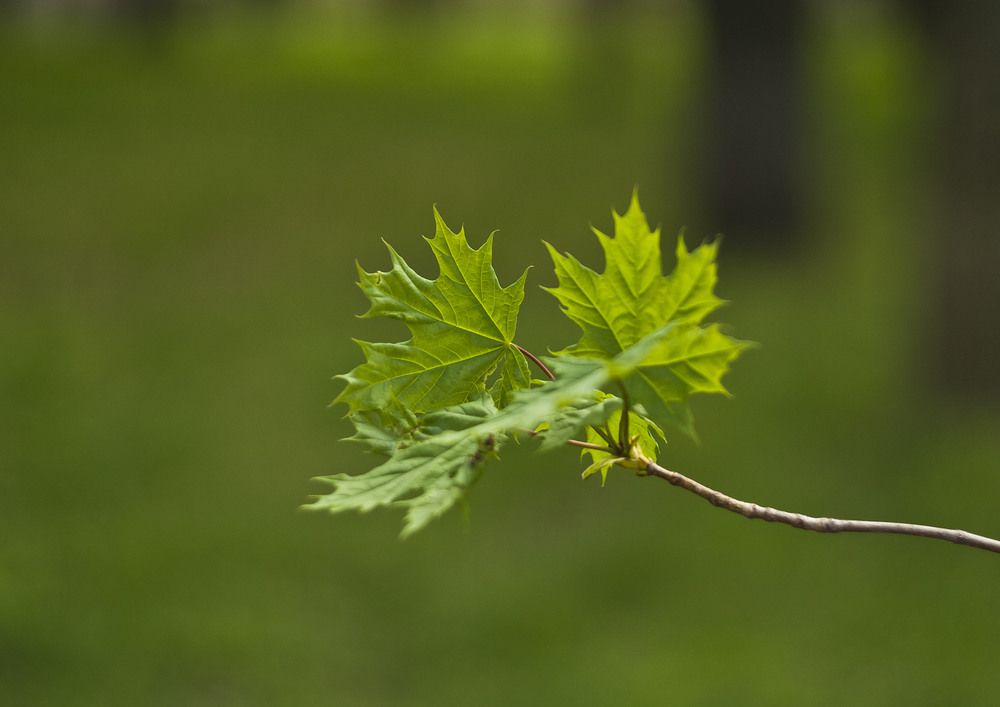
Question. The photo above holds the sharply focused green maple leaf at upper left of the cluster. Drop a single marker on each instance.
(462, 326)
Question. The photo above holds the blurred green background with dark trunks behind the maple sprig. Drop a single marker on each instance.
(184, 189)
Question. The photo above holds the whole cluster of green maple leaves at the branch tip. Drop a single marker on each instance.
(439, 405)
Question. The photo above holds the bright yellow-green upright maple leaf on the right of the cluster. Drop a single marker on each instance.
(631, 299)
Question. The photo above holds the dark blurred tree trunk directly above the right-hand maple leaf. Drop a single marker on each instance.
(752, 187)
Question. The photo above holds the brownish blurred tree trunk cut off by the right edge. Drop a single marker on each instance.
(964, 350)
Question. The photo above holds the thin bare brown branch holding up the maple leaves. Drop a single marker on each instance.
(819, 525)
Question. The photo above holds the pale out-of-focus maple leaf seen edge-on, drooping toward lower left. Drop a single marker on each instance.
(436, 457)
